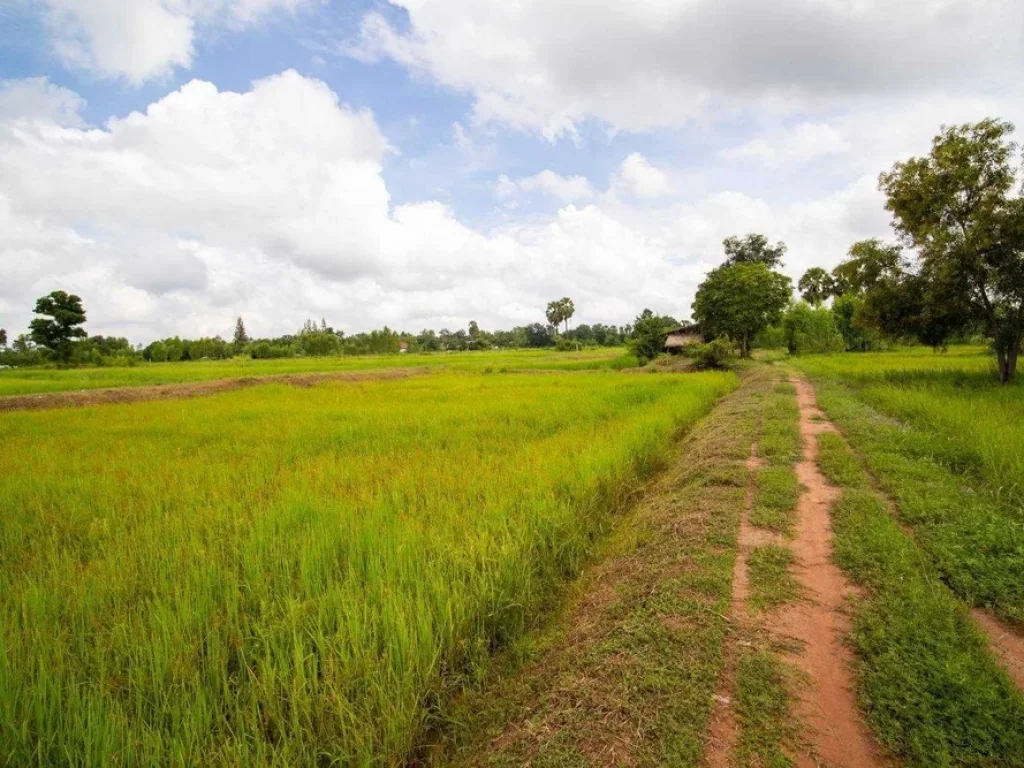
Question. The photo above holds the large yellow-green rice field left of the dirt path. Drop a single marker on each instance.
(291, 577)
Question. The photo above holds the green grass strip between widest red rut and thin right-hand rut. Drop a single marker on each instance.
(927, 682)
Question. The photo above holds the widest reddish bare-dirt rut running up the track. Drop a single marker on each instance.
(836, 734)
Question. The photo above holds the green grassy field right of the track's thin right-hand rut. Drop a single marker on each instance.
(944, 439)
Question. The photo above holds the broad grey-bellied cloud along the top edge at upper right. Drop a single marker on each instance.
(547, 66)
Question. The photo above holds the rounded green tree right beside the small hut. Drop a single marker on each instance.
(741, 301)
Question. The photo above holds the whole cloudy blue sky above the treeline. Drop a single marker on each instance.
(424, 163)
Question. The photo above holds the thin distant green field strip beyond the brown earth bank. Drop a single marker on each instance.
(28, 381)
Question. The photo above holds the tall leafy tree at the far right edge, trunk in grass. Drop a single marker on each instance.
(956, 209)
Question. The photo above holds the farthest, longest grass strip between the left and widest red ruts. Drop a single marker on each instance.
(777, 487)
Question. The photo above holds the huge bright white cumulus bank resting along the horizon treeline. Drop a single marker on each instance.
(272, 204)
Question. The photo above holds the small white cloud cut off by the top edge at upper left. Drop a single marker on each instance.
(140, 40)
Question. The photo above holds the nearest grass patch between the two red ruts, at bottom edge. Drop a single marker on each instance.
(764, 700)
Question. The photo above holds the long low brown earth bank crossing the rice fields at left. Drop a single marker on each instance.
(193, 390)
